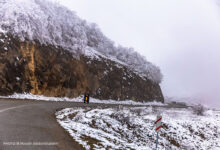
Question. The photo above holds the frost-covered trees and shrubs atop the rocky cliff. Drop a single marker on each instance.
(51, 23)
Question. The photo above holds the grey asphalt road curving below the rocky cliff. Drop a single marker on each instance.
(29, 124)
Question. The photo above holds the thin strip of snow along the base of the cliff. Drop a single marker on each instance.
(79, 99)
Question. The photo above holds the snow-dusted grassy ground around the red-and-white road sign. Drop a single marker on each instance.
(133, 128)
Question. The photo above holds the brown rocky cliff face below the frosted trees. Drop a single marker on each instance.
(39, 69)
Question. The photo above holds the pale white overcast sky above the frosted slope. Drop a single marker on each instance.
(182, 37)
